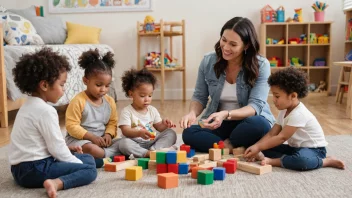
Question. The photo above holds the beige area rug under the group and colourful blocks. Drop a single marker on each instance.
(325, 182)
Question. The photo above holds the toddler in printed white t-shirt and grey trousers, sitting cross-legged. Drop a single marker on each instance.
(137, 119)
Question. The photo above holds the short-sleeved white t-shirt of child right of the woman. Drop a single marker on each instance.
(309, 133)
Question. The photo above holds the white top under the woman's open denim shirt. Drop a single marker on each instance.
(228, 97)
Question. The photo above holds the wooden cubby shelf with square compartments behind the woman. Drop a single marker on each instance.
(307, 53)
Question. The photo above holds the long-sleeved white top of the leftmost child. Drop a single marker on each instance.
(36, 134)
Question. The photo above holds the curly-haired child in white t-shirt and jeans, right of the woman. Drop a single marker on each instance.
(296, 125)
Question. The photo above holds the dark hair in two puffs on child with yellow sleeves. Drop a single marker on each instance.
(92, 62)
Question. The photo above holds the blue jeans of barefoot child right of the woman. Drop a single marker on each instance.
(297, 158)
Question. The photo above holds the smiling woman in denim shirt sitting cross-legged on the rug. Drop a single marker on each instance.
(235, 78)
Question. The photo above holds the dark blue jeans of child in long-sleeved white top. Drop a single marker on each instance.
(33, 174)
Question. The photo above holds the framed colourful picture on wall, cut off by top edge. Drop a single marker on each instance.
(74, 6)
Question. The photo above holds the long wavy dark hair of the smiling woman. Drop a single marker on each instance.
(245, 29)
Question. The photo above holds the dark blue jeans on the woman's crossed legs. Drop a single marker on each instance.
(240, 133)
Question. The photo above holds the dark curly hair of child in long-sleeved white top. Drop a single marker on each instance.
(35, 67)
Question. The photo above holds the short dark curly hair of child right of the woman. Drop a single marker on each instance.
(290, 80)
